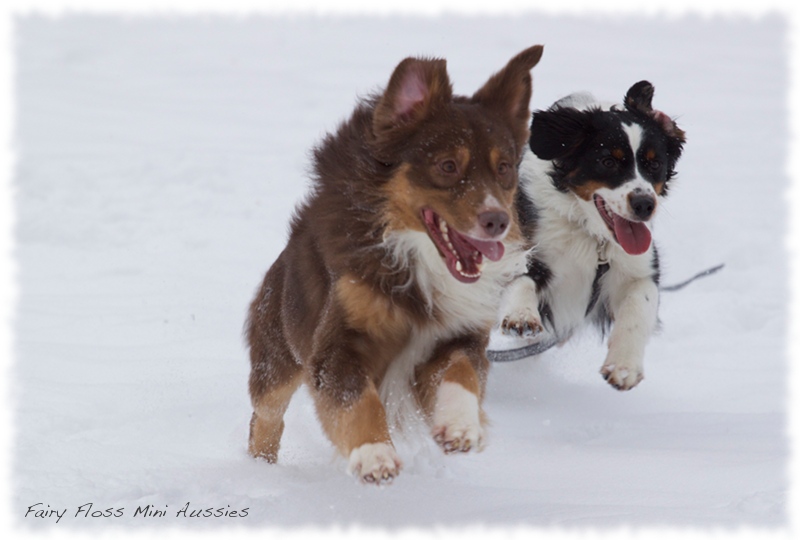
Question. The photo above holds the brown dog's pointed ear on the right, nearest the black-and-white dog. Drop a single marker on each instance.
(509, 91)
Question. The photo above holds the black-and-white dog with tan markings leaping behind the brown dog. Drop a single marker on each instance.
(589, 189)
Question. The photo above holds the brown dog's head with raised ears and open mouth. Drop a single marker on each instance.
(455, 158)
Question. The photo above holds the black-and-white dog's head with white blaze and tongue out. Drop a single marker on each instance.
(616, 160)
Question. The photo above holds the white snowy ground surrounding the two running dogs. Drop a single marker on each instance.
(159, 163)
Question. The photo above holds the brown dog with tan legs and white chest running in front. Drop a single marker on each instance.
(395, 266)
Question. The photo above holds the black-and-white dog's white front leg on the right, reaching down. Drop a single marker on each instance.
(635, 309)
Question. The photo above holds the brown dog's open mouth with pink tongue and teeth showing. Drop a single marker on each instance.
(463, 255)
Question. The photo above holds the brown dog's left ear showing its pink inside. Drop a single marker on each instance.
(416, 87)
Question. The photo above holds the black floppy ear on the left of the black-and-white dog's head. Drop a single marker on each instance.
(556, 133)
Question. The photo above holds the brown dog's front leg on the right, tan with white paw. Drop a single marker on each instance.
(450, 389)
